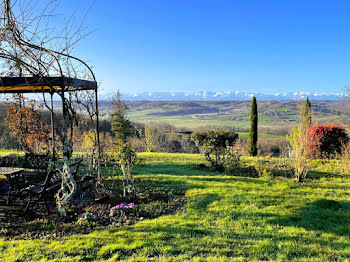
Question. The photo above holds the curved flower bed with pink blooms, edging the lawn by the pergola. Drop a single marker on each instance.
(145, 204)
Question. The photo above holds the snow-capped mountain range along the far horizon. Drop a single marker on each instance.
(217, 96)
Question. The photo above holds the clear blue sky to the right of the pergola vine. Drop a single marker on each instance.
(193, 45)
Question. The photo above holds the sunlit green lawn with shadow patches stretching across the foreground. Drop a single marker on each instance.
(226, 218)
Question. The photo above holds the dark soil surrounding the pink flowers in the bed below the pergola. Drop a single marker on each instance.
(38, 224)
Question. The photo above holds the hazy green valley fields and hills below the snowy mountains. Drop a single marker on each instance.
(272, 114)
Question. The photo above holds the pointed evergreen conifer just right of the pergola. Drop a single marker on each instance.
(120, 124)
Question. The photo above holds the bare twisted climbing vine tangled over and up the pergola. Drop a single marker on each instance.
(35, 59)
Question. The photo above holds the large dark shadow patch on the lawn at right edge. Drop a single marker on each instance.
(324, 215)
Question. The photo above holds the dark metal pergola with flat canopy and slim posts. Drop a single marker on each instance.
(61, 86)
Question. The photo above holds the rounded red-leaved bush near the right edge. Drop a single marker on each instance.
(325, 141)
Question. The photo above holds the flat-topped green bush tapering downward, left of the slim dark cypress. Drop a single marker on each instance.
(214, 145)
